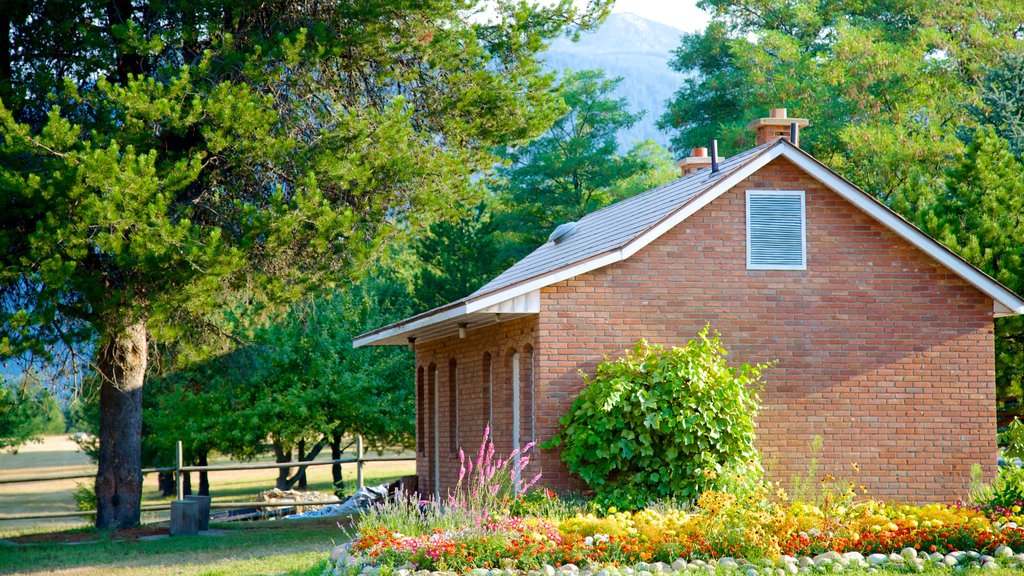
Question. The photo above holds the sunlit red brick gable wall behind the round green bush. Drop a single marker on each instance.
(883, 353)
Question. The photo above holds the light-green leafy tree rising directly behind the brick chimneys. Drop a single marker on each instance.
(885, 84)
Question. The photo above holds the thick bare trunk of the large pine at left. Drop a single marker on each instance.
(121, 363)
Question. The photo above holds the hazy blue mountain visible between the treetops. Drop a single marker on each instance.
(636, 50)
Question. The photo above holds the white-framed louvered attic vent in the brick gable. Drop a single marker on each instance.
(776, 230)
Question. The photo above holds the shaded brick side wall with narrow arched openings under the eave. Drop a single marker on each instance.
(500, 342)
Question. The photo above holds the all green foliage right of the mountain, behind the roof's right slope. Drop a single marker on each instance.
(893, 92)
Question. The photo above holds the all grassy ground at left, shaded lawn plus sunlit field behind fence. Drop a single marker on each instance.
(249, 548)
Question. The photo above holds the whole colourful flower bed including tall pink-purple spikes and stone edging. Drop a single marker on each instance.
(491, 522)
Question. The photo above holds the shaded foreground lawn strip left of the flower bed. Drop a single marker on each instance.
(294, 548)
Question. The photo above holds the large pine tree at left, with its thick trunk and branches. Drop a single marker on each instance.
(161, 161)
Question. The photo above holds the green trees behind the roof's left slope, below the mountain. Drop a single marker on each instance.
(572, 171)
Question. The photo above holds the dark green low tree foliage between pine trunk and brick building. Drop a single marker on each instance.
(300, 379)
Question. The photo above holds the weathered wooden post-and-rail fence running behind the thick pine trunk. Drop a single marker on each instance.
(360, 460)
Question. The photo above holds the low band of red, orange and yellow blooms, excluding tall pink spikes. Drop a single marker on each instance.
(720, 528)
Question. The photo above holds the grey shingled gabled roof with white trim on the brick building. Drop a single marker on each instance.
(619, 231)
